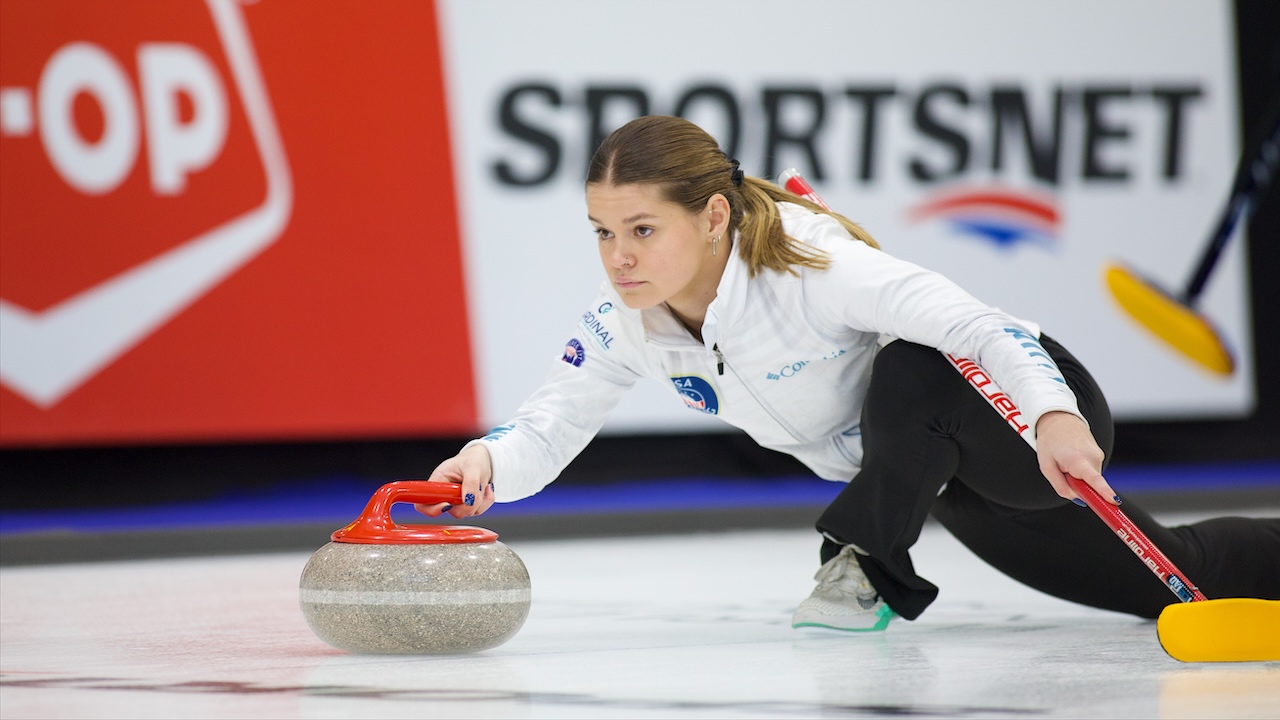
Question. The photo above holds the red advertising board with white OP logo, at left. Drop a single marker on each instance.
(227, 221)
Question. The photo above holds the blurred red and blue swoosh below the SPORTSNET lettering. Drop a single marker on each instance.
(996, 215)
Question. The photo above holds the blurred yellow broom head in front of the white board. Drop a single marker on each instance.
(1171, 321)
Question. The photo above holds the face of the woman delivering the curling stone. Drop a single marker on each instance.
(653, 250)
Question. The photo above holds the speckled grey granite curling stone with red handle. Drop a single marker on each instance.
(414, 590)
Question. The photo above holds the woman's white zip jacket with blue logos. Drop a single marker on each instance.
(787, 359)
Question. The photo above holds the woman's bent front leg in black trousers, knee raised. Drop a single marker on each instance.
(925, 427)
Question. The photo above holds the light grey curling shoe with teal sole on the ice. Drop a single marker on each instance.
(844, 599)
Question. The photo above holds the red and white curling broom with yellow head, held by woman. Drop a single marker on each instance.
(1196, 630)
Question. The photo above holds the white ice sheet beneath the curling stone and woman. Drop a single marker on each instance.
(661, 627)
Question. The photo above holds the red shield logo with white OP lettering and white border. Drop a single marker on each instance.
(141, 167)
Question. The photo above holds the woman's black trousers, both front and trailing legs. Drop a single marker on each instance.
(925, 427)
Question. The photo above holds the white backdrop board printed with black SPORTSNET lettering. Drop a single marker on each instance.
(1145, 160)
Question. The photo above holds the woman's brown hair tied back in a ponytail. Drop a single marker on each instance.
(688, 167)
